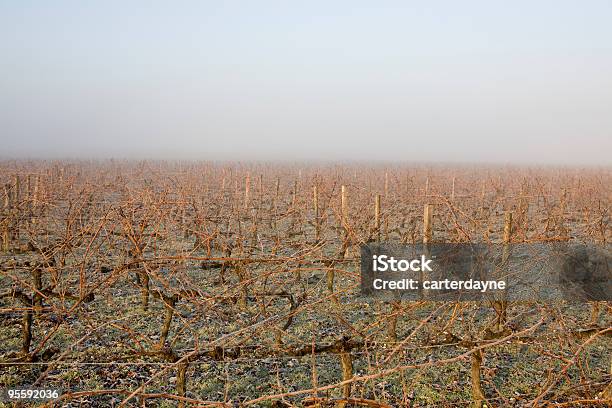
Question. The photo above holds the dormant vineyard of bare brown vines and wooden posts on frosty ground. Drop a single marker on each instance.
(237, 284)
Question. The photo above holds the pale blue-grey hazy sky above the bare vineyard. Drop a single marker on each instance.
(493, 81)
